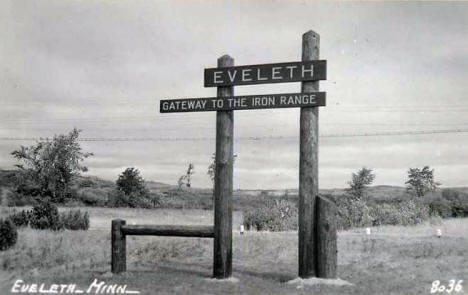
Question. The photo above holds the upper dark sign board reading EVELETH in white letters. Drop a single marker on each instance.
(267, 73)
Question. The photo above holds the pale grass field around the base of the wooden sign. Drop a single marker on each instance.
(392, 260)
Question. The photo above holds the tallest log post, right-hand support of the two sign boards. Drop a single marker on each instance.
(308, 165)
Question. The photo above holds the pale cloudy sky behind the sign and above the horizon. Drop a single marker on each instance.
(102, 66)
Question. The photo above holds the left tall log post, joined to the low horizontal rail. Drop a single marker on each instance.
(222, 264)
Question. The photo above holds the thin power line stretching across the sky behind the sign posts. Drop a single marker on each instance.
(247, 138)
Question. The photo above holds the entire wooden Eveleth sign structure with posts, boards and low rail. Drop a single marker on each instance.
(317, 243)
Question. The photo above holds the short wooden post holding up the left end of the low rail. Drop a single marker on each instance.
(118, 263)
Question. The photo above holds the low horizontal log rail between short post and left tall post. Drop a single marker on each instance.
(196, 231)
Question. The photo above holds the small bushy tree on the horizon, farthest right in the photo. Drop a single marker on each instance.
(421, 181)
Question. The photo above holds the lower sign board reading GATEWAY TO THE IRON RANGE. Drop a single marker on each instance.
(249, 102)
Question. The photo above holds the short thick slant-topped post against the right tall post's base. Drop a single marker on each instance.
(325, 238)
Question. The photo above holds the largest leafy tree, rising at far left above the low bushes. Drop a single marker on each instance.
(51, 165)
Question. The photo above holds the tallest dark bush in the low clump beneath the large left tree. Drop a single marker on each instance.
(45, 216)
